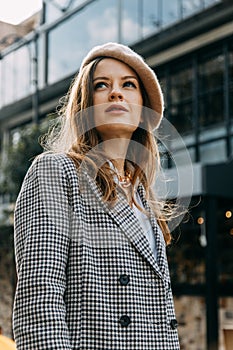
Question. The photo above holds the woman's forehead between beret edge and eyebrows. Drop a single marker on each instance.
(111, 66)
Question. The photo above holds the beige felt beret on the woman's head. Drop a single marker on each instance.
(146, 74)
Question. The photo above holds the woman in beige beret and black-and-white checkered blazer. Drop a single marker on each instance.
(89, 235)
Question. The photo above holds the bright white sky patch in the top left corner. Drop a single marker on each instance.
(16, 11)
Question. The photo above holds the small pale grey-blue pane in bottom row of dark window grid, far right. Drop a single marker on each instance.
(213, 152)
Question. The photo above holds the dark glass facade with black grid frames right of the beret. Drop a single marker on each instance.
(198, 90)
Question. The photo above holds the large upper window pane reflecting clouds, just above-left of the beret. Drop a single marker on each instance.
(69, 42)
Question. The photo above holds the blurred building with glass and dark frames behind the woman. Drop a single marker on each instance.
(189, 44)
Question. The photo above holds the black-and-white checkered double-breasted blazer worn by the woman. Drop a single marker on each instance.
(87, 278)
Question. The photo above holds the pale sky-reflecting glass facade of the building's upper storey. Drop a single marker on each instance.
(82, 24)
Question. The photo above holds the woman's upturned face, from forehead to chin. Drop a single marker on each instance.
(117, 99)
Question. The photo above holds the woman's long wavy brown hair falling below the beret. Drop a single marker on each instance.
(76, 136)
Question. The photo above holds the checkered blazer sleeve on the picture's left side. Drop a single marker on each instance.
(41, 250)
